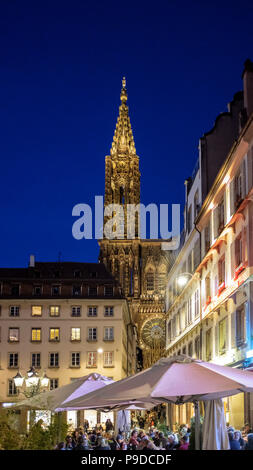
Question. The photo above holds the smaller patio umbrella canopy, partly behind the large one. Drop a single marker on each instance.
(56, 398)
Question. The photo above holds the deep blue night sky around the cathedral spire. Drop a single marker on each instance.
(61, 68)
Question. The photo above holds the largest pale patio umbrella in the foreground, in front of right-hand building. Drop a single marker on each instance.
(178, 379)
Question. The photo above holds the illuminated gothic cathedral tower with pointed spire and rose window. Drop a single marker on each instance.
(139, 265)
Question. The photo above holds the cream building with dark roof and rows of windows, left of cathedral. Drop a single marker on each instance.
(65, 319)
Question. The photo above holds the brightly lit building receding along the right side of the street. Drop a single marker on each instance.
(209, 295)
